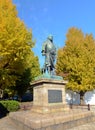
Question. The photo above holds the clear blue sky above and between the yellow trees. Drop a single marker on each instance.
(55, 17)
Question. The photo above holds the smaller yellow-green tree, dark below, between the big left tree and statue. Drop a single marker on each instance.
(32, 71)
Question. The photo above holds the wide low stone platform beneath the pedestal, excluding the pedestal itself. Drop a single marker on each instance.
(59, 121)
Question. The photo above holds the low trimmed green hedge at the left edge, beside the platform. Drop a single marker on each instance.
(10, 105)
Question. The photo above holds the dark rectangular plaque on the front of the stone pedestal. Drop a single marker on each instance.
(54, 96)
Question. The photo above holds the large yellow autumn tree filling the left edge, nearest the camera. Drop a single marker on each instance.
(16, 42)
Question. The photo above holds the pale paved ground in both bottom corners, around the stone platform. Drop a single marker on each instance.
(6, 124)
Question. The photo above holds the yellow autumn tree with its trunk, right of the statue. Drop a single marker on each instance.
(76, 61)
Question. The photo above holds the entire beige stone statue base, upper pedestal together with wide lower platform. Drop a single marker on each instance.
(49, 111)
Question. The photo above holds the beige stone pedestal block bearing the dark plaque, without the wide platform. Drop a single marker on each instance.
(49, 96)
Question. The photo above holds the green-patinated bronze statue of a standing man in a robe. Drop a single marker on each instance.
(49, 51)
